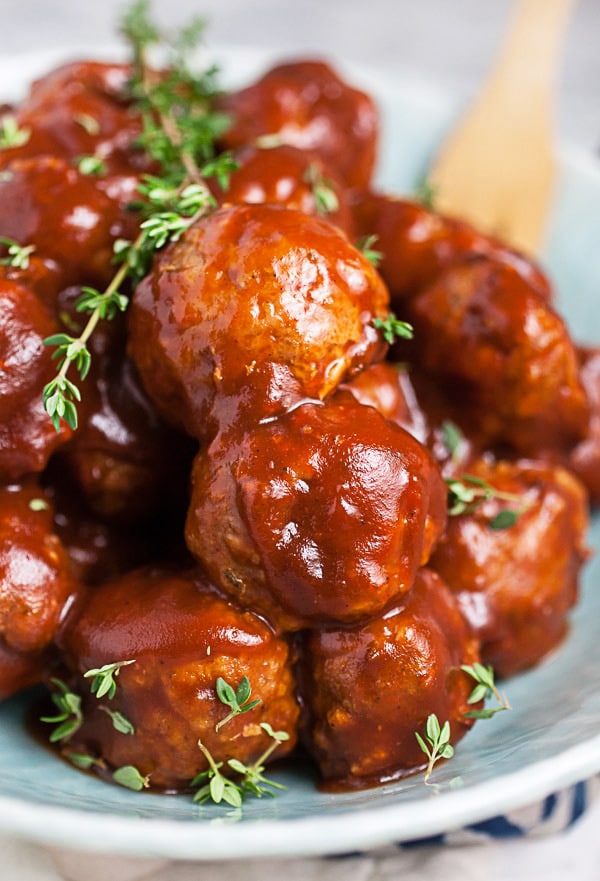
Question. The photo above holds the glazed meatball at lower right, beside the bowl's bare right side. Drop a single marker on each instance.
(516, 585)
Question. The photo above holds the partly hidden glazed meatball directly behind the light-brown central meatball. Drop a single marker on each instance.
(296, 178)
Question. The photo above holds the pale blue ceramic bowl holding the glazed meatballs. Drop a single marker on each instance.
(523, 771)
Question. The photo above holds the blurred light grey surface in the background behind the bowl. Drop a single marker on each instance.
(450, 42)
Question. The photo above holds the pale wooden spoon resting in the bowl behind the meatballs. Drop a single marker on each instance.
(497, 168)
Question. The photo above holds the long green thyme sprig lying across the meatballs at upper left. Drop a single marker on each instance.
(179, 130)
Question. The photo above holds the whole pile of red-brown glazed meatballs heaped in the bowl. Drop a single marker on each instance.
(258, 484)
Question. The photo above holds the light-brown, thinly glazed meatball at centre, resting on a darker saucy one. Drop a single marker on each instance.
(246, 288)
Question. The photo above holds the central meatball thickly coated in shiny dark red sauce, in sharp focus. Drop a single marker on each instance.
(324, 514)
